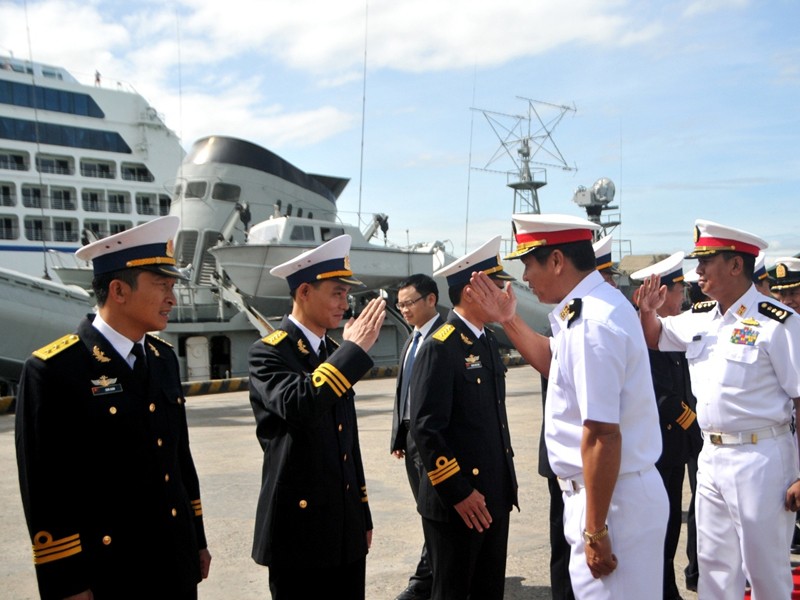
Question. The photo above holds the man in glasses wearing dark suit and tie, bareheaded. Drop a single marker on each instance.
(417, 298)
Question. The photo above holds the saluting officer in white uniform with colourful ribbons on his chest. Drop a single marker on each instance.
(743, 350)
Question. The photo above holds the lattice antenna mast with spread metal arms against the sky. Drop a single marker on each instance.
(527, 140)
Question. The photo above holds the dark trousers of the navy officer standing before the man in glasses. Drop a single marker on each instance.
(467, 564)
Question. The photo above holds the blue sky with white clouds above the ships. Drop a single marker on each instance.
(689, 107)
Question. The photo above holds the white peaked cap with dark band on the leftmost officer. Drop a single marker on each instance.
(148, 246)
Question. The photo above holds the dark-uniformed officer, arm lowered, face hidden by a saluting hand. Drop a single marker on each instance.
(460, 426)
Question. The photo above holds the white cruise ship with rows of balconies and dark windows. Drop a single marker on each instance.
(75, 158)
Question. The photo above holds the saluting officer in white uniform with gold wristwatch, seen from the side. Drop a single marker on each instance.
(601, 423)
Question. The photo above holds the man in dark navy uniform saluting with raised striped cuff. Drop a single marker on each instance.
(313, 525)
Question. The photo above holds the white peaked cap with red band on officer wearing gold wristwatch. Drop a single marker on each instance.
(536, 231)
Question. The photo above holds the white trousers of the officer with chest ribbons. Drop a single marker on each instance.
(743, 529)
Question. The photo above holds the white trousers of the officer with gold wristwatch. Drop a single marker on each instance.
(637, 524)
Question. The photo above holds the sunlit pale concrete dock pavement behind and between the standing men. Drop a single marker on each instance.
(228, 459)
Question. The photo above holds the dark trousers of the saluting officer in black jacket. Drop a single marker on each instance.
(305, 583)
